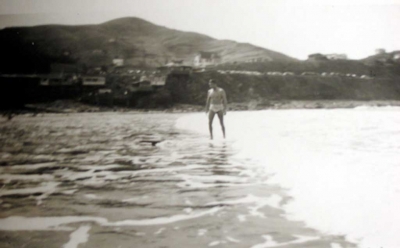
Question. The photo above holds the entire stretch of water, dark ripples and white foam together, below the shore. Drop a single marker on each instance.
(156, 180)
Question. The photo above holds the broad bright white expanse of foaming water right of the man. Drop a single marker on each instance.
(341, 167)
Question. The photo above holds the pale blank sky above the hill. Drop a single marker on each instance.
(294, 27)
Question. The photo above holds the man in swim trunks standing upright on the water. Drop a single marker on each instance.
(216, 104)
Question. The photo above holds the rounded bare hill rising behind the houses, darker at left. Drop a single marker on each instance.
(33, 49)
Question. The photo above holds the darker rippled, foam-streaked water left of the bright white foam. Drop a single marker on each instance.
(134, 180)
